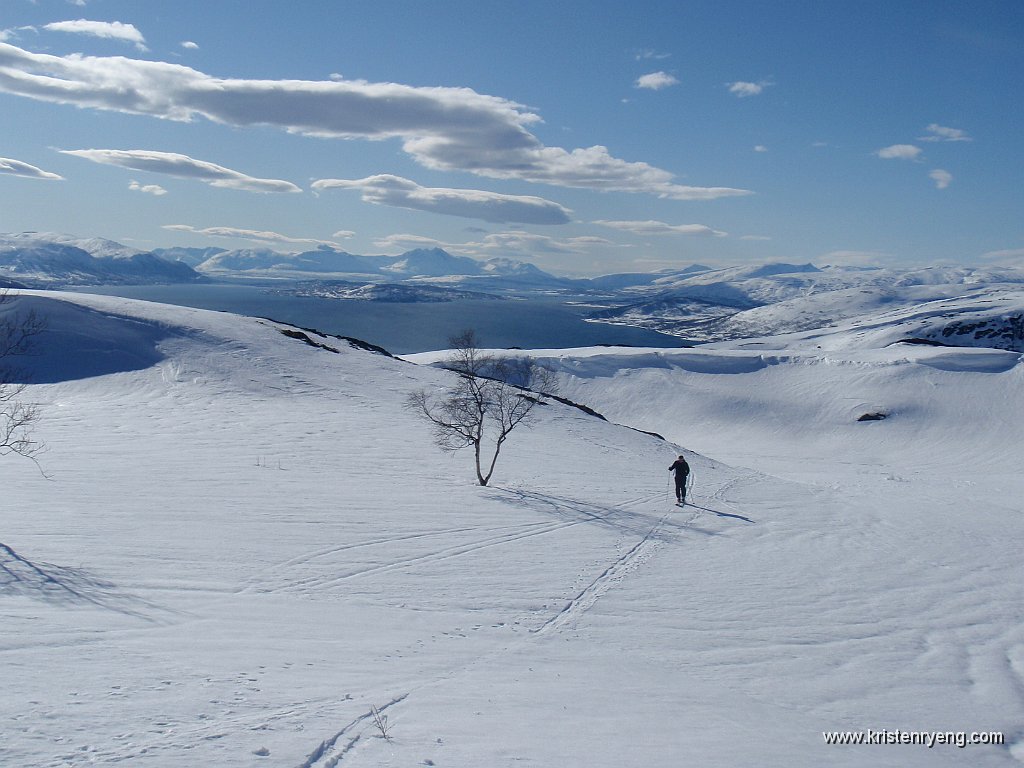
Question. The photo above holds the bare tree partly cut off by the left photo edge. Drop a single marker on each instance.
(17, 417)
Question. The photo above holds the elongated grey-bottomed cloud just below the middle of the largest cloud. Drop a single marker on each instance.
(477, 204)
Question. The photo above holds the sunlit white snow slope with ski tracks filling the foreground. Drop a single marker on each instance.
(246, 543)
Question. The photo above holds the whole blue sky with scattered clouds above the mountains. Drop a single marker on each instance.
(587, 138)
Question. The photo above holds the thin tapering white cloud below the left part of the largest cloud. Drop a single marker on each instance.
(183, 166)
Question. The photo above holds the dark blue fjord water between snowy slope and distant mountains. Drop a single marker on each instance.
(407, 328)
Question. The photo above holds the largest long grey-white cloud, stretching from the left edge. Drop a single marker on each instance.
(443, 129)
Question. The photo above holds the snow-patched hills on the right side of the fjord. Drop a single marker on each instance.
(773, 300)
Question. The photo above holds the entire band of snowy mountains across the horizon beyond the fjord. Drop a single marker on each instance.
(697, 303)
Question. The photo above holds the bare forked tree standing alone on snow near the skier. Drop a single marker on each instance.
(491, 398)
